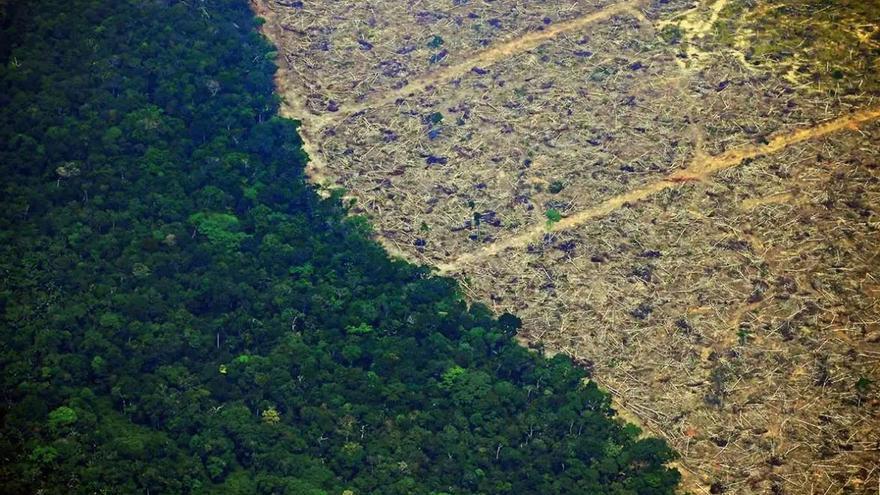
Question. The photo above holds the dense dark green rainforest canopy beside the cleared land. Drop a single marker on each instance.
(181, 313)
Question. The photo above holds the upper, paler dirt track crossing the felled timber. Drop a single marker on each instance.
(485, 58)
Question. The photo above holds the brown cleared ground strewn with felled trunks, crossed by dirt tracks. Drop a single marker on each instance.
(683, 196)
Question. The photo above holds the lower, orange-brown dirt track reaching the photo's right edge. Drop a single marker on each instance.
(700, 169)
